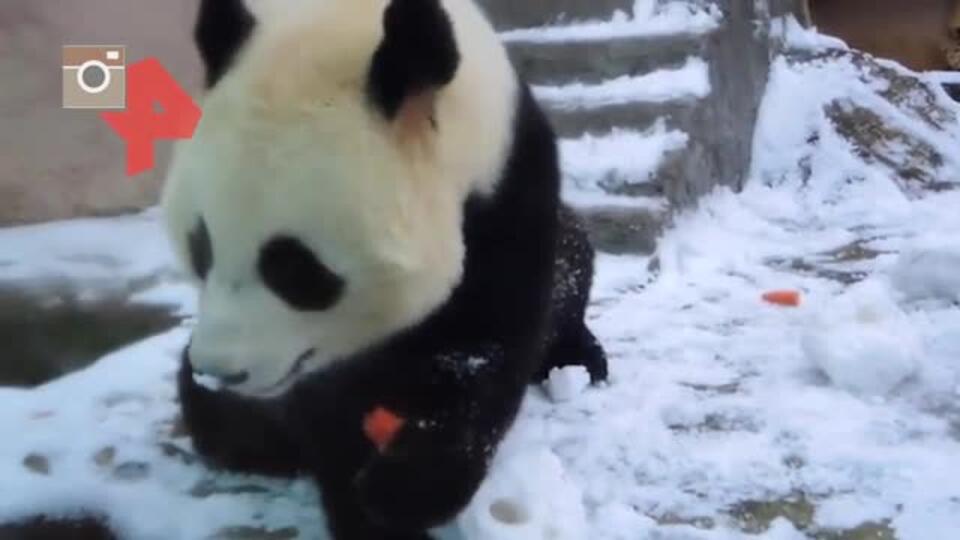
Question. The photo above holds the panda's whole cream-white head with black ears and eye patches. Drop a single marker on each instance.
(319, 204)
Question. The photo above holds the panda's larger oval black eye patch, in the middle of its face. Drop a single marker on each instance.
(296, 275)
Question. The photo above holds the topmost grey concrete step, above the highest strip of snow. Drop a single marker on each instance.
(509, 14)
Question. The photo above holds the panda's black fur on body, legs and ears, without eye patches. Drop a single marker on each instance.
(458, 376)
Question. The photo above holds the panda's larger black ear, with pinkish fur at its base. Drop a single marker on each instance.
(418, 54)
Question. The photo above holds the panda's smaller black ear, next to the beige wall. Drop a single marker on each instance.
(222, 27)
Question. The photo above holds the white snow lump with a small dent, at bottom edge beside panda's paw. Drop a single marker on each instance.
(527, 496)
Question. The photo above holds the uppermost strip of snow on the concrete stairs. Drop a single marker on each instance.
(647, 19)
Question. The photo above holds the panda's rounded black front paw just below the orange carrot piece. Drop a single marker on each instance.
(416, 485)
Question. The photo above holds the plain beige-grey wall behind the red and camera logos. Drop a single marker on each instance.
(57, 163)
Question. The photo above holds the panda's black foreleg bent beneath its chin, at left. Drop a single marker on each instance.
(236, 432)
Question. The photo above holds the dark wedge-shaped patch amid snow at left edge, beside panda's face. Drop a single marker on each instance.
(46, 333)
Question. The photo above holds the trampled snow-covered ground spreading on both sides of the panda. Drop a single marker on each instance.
(726, 416)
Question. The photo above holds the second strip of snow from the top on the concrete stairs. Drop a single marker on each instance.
(690, 81)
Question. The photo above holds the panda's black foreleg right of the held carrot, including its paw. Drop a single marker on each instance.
(457, 406)
